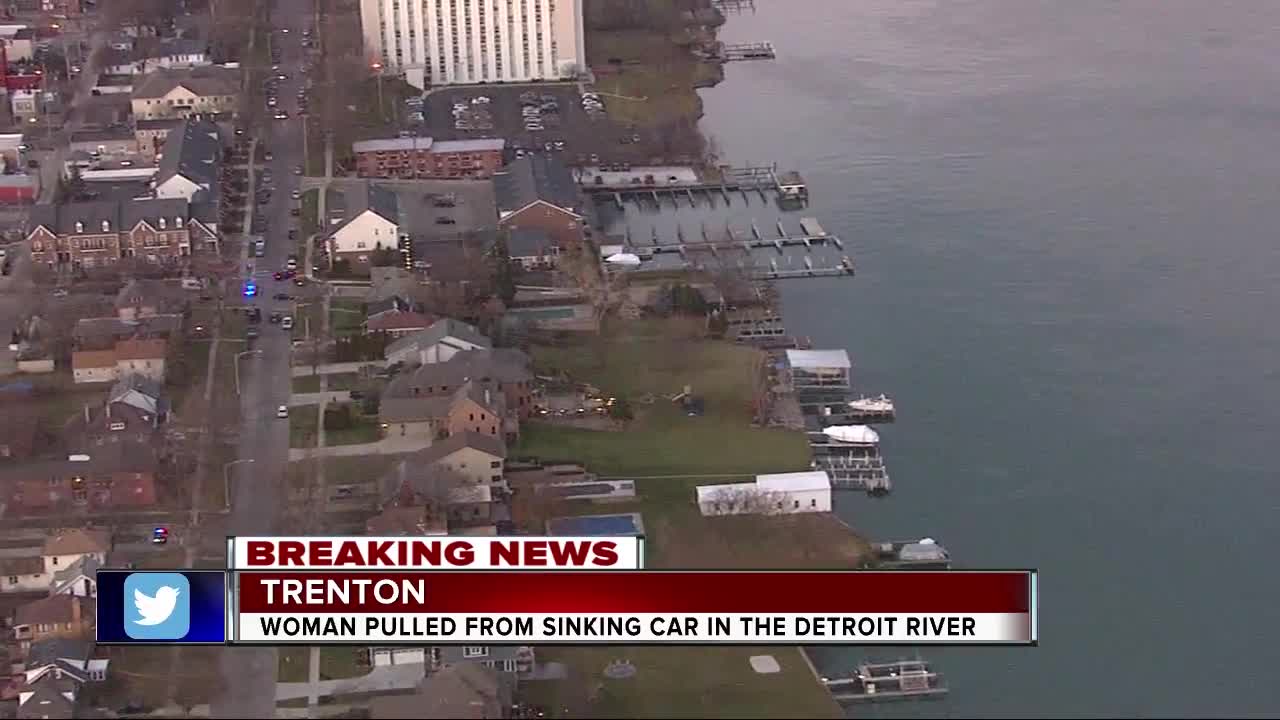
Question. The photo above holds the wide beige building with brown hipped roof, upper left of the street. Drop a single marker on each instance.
(181, 94)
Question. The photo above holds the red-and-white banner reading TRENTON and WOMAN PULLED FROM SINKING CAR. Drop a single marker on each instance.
(636, 608)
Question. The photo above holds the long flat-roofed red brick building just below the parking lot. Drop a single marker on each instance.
(426, 158)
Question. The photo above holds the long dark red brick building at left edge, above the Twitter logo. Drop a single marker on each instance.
(120, 475)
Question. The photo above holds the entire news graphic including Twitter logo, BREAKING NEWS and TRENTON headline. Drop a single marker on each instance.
(548, 591)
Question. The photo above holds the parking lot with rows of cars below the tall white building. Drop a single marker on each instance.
(565, 125)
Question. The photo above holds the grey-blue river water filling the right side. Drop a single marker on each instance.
(1066, 221)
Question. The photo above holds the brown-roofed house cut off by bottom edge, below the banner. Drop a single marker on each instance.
(465, 691)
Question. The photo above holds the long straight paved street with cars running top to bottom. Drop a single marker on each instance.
(258, 490)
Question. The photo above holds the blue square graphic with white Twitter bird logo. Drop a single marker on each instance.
(162, 608)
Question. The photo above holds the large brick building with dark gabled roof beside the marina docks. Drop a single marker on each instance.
(538, 192)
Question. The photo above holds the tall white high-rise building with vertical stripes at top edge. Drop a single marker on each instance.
(472, 42)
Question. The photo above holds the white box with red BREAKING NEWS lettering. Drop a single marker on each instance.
(441, 553)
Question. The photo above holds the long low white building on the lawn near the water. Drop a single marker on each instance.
(769, 495)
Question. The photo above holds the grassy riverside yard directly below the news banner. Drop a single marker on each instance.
(670, 682)
